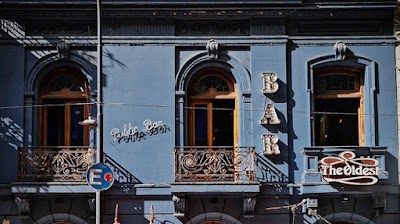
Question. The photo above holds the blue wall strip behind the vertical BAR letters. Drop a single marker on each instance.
(270, 59)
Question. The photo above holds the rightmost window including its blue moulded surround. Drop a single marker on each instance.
(352, 82)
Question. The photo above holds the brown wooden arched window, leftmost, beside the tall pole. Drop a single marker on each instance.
(63, 95)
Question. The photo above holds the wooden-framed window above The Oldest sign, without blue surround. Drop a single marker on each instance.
(338, 106)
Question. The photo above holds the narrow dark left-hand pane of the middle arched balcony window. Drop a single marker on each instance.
(200, 128)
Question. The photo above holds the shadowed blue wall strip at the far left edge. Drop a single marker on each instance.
(11, 112)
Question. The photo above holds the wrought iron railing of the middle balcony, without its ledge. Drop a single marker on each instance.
(222, 163)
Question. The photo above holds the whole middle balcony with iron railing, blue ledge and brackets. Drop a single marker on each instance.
(215, 171)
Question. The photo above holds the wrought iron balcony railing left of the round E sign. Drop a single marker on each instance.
(54, 164)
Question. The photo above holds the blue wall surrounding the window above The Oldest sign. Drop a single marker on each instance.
(380, 64)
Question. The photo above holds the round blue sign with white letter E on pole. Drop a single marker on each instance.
(100, 176)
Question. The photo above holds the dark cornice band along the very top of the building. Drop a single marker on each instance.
(87, 11)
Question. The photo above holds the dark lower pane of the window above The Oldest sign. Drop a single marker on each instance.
(336, 122)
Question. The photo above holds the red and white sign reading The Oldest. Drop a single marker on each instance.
(347, 169)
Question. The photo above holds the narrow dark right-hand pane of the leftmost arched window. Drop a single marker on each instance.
(77, 112)
